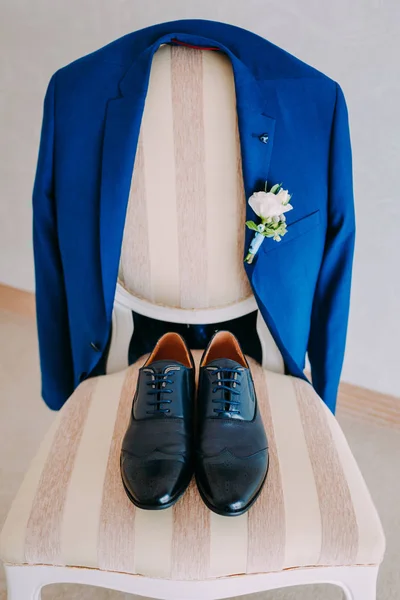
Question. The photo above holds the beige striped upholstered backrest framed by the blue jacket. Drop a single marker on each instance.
(184, 229)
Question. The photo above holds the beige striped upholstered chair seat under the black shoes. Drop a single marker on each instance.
(314, 510)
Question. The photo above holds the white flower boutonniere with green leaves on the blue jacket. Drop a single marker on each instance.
(271, 208)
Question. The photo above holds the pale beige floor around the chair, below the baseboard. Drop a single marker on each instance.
(24, 418)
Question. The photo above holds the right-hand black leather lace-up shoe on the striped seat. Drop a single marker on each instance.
(232, 448)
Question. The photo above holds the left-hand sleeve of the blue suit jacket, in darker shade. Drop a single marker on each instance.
(51, 305)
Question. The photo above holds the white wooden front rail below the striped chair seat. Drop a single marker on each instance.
(26, 582)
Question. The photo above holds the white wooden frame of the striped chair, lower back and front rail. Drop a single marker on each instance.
(25, 582)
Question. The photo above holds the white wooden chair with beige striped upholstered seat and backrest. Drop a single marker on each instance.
(71, 520)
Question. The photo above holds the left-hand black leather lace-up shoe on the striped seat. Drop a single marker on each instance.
(157, 450)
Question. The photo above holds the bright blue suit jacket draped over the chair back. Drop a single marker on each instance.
(91, 120)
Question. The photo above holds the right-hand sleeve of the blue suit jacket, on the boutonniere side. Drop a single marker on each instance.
(332, 296)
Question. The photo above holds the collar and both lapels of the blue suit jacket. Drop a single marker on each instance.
(121, 132)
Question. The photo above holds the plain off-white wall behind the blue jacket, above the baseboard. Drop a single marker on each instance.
(355, 42)
